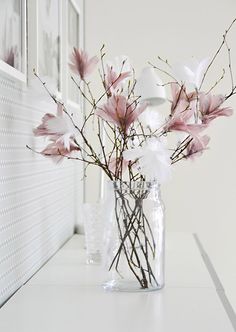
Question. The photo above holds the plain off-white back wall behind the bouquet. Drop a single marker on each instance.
(201, 196)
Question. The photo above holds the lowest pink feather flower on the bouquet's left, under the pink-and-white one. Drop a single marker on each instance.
(58, 151)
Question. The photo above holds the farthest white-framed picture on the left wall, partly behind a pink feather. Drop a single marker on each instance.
(74, 40)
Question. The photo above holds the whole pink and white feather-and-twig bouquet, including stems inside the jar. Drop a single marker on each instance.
(132, 145)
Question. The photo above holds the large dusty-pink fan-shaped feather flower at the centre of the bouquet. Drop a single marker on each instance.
(120, 111)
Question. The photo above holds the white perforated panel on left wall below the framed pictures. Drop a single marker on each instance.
(37, 210)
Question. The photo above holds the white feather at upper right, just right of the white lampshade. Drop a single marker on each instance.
(192, 72)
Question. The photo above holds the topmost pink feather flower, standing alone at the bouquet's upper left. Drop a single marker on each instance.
(81, 64)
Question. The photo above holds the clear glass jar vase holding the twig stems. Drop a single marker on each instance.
(134, 237)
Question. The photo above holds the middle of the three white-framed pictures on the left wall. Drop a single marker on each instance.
(49, 41)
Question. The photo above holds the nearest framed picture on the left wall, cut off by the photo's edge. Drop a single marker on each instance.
(13, 38)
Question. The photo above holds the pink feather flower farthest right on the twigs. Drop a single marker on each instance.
(210, 107)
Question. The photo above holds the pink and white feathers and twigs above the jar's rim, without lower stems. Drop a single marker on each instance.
(135, 138)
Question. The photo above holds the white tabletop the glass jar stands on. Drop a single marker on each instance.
(66, 295)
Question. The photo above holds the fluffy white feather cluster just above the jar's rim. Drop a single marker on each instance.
(153, 160)
